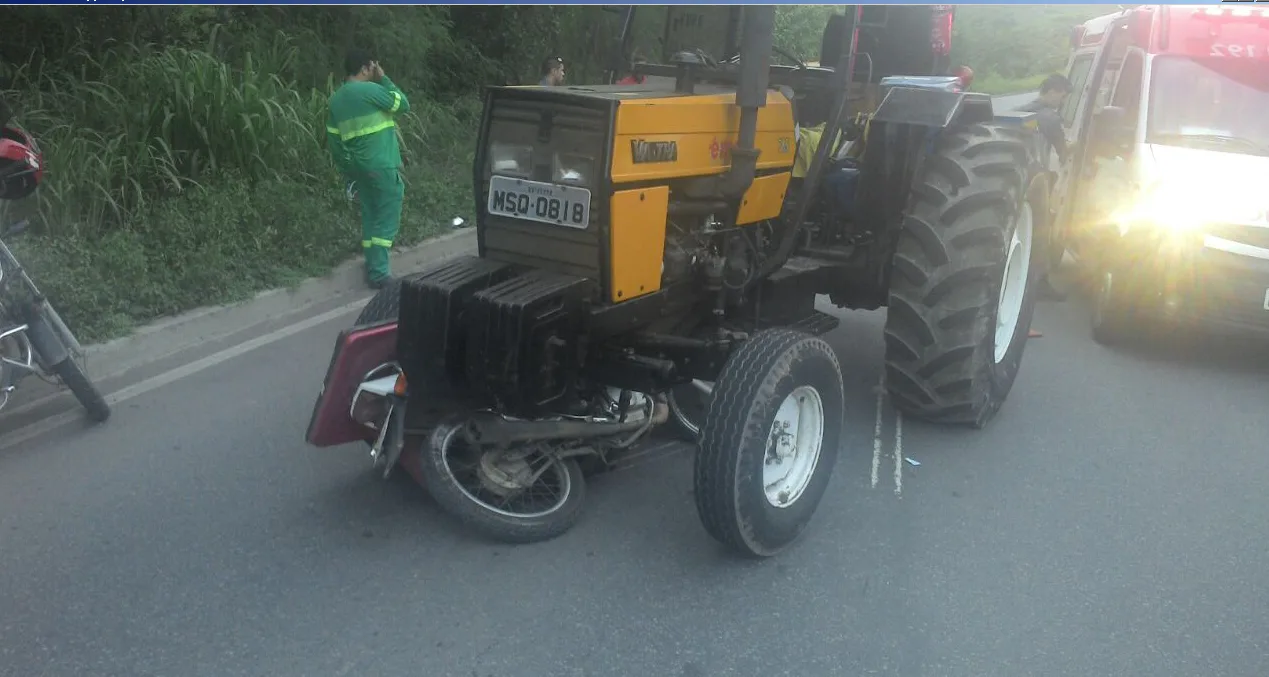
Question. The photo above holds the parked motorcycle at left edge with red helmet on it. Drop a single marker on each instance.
(34, 338)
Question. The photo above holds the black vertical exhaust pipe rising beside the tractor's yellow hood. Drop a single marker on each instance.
(756, 63)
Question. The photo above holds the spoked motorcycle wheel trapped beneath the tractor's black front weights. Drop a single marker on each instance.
(483, 488)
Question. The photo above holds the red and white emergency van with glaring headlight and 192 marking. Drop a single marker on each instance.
(1163, 201)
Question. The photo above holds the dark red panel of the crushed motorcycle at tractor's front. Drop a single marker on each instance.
(357, 351)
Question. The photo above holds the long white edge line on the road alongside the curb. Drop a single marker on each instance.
(141, 388)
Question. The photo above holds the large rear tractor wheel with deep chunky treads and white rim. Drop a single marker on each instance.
(963, 284)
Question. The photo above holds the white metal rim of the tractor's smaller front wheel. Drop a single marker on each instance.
(794, 448)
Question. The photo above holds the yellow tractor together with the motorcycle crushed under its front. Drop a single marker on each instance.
(653, 255)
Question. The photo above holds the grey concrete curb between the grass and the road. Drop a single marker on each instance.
(182, 332)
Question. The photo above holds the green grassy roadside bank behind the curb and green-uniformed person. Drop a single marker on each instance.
(176, 178)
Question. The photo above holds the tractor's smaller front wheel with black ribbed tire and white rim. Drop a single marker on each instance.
(770, 441)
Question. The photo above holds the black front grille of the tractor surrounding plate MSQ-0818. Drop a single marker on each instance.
(550, 128)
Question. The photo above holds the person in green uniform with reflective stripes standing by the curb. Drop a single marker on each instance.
(361, 130)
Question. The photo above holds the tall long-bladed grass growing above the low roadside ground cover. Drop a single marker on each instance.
(159, 121)
